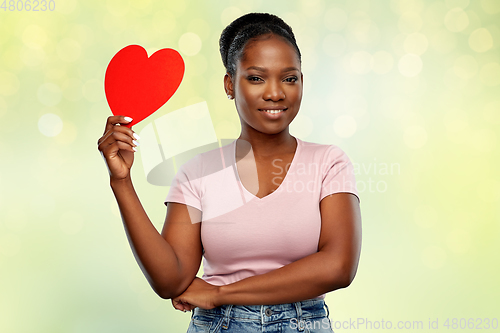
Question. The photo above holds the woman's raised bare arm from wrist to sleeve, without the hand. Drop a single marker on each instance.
(168, 274)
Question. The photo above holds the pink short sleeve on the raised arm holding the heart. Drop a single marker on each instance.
(185, 187)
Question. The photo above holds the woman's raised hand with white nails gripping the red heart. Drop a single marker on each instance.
(117, 147)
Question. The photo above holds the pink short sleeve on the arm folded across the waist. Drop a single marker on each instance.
(338, 173)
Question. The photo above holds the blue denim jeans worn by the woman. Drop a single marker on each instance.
(309, 316)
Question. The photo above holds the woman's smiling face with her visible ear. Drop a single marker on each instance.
(268, 78)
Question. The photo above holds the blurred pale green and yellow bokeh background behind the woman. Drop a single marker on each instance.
(409, 89)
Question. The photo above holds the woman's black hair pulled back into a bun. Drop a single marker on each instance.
(250, 26)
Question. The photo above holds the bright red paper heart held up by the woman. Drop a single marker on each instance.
(137, 86)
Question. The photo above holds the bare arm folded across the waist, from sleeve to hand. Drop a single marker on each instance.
(332, 267)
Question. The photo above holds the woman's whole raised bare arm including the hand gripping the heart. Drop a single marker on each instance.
(169, 260)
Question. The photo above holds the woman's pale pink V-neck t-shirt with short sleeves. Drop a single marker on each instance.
(244, 235)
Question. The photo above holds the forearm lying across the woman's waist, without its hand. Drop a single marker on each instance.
(303, 279)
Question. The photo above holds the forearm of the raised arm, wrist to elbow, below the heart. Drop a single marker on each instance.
(155, 256)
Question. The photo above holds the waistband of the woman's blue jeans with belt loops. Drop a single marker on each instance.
(311, 308)
